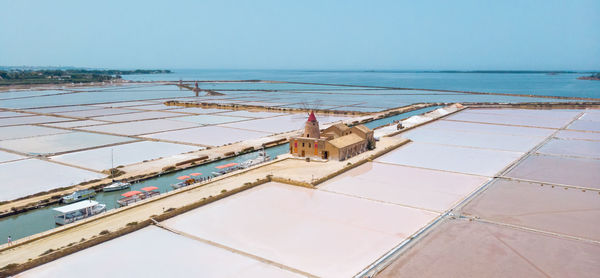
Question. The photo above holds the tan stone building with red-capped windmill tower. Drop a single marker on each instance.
(338, 141)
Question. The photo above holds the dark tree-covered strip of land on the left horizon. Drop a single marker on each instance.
(61, 76)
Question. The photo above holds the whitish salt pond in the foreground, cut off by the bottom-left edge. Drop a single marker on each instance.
(147, 250)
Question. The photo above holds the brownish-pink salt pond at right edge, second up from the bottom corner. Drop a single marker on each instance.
(571, 212)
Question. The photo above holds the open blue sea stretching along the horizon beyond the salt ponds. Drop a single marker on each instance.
(519, 83)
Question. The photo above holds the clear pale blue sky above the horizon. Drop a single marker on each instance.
(462, 35)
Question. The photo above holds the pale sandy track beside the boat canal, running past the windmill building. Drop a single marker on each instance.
(286, 168)
